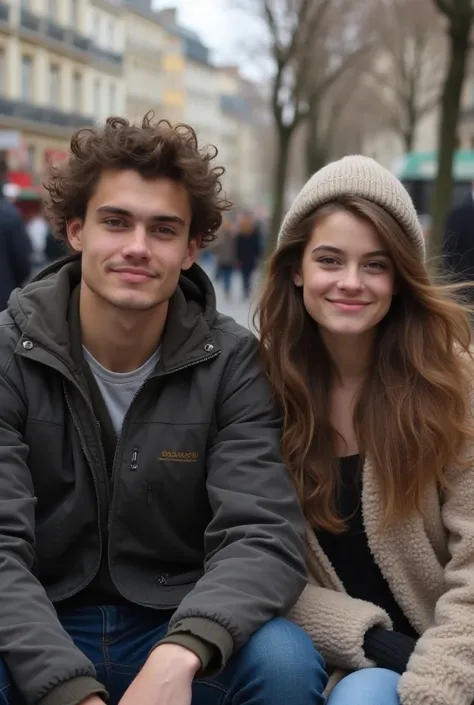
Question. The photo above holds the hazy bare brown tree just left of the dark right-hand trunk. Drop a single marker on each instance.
(406, 75)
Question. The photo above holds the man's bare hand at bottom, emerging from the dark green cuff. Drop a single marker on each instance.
(165, 679)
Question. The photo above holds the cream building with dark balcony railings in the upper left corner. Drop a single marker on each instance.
(61, 68)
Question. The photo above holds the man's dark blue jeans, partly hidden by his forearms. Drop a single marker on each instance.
(277, 666)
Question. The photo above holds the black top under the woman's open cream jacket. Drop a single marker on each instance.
(349, 552)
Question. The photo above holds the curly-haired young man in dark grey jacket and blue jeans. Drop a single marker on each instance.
(149, 534)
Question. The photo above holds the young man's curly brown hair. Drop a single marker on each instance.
(154, 149)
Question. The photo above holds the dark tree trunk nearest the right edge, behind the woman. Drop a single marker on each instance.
(450, 109)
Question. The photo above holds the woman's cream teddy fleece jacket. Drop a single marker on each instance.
(429, 565)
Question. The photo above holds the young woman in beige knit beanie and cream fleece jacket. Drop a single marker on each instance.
(371, 364)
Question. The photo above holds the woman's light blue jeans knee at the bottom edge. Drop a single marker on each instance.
(370, 686)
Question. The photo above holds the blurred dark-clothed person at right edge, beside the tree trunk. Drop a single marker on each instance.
(458, 243)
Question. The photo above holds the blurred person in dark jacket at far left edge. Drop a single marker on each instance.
(15, 247)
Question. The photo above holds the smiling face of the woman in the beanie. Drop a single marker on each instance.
(347, 276)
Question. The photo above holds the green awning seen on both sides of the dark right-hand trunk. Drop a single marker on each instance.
(423, 166)
